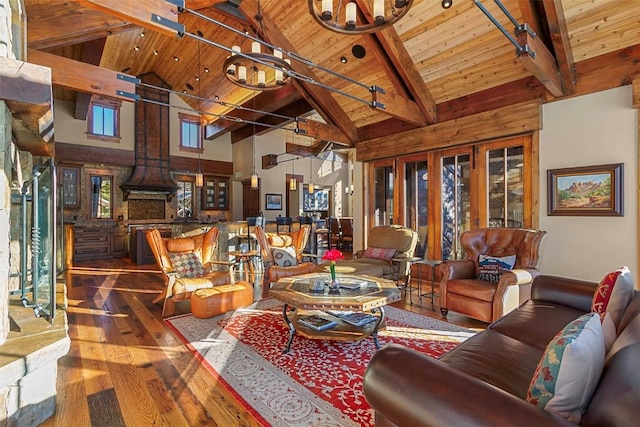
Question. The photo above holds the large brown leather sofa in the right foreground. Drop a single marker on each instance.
(484, 381)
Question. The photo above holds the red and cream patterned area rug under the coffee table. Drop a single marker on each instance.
(318, 383)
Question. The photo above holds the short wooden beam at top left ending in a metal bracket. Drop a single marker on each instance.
(145, 13)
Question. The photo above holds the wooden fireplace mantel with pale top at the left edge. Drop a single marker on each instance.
(26, 88)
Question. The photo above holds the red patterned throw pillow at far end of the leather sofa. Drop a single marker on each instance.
(614, 294)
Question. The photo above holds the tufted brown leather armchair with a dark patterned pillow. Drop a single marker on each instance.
(462, 291)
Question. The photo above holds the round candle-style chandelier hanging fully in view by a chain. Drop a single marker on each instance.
(270, 70)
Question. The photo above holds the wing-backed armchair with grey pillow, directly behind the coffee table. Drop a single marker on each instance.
(286, 260)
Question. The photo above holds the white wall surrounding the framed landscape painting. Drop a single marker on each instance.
(594, 129)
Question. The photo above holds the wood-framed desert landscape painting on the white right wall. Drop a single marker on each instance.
(586, 191)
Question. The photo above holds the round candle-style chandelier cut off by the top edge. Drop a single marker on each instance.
(343, 18)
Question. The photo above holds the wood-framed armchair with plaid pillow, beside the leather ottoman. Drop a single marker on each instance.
(186, 264)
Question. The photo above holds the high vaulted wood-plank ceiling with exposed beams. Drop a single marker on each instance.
(434, 64)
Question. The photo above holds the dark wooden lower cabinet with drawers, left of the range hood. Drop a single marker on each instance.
(98, 242)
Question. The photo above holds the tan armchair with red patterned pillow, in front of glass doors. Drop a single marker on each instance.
(397, 237)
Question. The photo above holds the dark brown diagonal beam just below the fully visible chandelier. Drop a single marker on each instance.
(268, 101)
